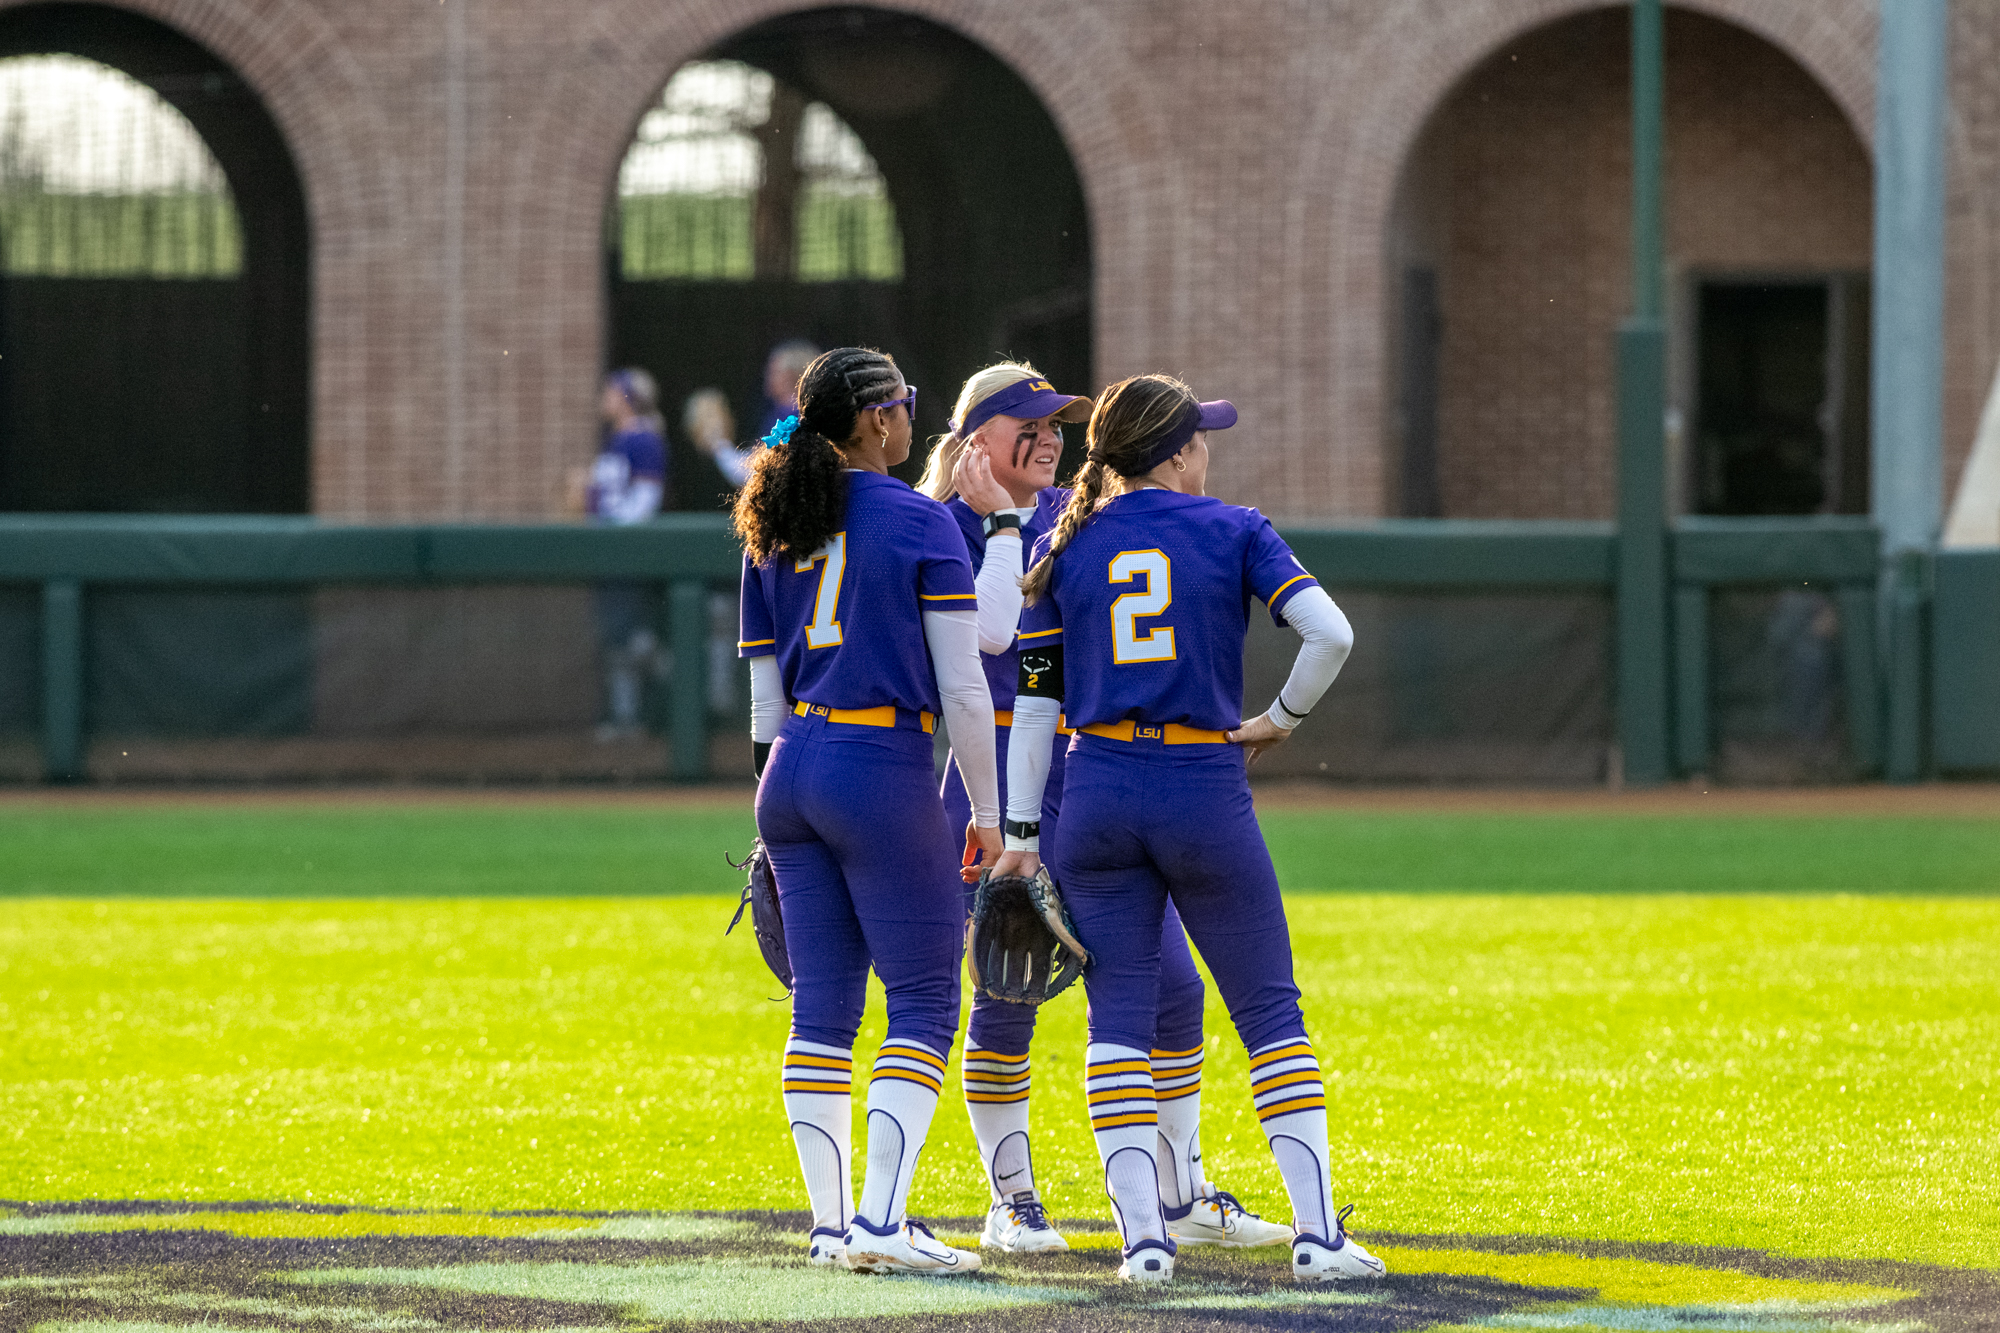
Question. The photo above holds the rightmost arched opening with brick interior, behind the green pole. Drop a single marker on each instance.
(1507, 265)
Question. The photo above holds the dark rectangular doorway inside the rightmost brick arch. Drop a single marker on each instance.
(1783, 397)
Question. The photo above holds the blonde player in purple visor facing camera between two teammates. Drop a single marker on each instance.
(997, 473)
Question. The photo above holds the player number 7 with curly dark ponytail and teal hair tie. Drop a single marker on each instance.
(859, 625)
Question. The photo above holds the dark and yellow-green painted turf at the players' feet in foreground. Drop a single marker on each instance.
(255, 1268)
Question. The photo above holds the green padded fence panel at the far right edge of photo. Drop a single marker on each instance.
(1965, 724)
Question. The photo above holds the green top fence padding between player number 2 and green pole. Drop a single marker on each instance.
(1441, 553)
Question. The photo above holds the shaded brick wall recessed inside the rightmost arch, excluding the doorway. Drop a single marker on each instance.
(1521, 195)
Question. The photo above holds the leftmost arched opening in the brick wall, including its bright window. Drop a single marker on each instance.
(155, 275)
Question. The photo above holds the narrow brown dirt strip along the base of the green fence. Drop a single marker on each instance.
(1875, 800)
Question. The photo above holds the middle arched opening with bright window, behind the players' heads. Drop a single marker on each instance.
(845, 177)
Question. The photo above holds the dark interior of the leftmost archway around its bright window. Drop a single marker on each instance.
(163, 391)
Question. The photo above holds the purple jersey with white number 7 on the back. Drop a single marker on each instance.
(847, 625)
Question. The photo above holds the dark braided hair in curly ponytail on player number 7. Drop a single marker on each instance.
(797, 497)
